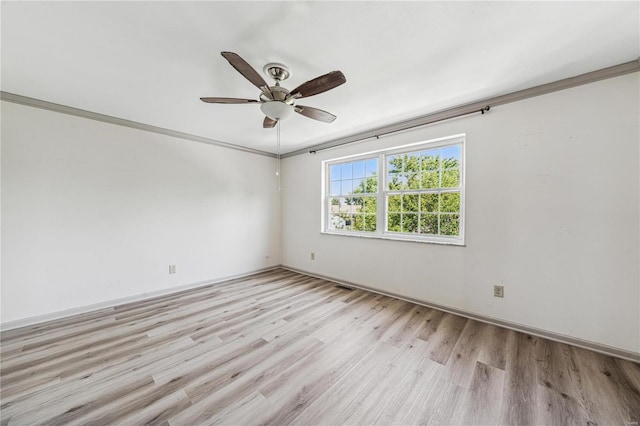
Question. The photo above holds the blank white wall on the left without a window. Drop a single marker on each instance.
(93, 212)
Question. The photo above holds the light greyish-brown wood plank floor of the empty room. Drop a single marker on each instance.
(283, 348)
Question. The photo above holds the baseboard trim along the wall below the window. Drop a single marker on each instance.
(569, 340)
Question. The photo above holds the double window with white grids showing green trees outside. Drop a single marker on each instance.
(419, 197)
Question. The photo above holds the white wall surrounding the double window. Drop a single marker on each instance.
(552, 212)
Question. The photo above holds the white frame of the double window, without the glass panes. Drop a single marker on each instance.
(383, 192)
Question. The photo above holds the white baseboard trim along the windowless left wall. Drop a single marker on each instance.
(24, 322)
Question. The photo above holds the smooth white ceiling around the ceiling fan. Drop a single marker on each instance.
(150, 62)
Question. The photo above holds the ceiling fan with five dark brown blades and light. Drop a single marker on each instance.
(276, 102)
